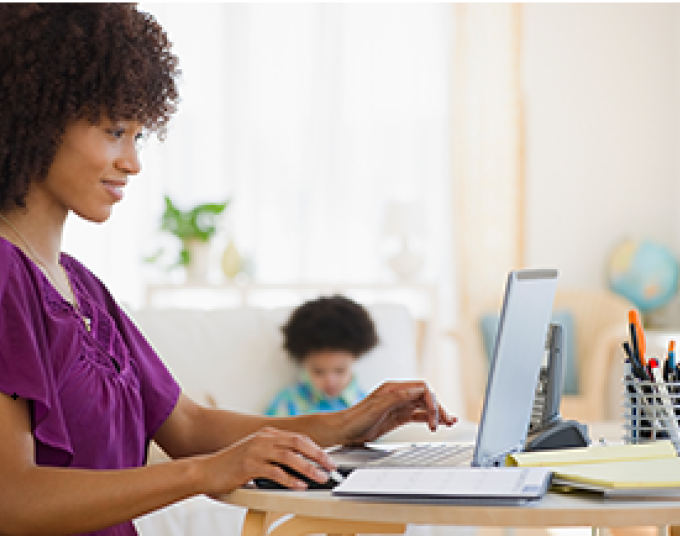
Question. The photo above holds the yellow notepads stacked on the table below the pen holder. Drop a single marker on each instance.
(650, 469)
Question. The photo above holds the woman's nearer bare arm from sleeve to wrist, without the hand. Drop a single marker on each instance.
(45, 500)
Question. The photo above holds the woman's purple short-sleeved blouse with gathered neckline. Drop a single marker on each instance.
(96, 397)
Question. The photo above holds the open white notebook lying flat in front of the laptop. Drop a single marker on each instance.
(449, 485)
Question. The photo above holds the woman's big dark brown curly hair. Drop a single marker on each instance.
(61, 63)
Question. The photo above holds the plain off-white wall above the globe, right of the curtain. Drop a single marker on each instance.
(601, 85)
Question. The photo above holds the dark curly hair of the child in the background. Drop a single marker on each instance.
(329, 323)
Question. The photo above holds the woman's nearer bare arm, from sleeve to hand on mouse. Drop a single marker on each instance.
(45, 500)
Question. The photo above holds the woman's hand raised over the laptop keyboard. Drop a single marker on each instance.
(388, 407)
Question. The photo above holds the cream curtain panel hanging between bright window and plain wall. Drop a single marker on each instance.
(489, 147)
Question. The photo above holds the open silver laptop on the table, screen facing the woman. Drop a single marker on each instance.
(511, 386)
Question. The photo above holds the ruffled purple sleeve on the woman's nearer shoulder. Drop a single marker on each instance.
(26, 367)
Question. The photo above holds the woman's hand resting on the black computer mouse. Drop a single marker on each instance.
(257, 456)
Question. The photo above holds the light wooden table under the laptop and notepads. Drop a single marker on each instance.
(319, 511)
